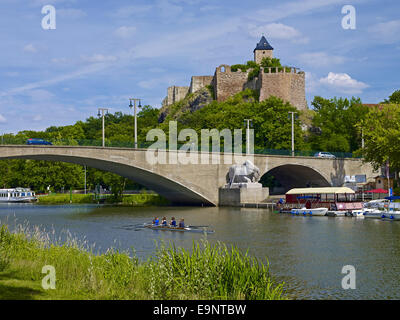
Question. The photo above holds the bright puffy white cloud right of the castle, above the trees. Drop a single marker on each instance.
(343, 83)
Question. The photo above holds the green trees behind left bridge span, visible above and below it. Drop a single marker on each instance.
(38, 175)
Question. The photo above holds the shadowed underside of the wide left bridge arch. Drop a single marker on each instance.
(175, 191)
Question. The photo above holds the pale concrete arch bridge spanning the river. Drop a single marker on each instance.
(193, 184)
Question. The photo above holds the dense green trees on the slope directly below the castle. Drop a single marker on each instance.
(271, 123)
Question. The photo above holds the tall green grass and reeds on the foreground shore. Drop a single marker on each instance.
(205, 272)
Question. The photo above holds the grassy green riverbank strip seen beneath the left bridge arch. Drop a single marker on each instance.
(136, 200)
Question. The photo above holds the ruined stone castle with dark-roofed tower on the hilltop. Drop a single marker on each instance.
(287, 83)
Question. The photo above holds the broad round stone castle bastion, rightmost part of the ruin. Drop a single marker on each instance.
(289, 86)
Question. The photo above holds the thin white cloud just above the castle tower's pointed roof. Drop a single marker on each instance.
(277, 31)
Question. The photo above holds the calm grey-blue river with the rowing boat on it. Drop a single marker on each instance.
(308, 253)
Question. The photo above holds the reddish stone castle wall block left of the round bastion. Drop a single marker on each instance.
(227, 83)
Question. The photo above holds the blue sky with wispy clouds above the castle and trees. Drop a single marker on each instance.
(104, 52)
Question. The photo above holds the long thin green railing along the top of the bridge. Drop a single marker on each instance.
(145, 145)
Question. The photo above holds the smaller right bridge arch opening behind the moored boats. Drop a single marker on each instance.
(284, 177)
